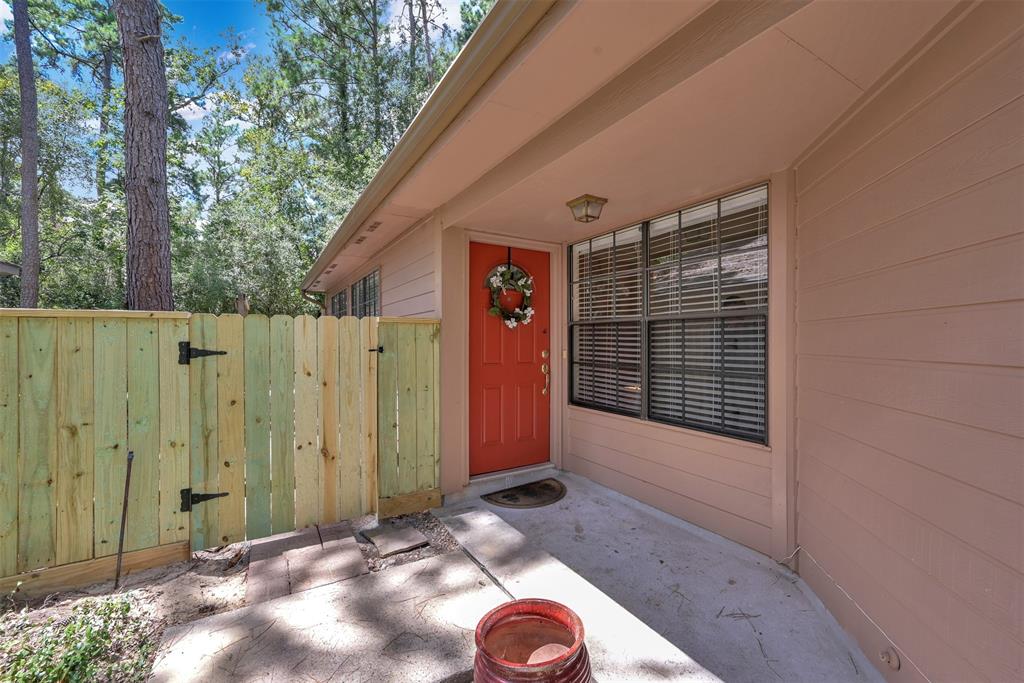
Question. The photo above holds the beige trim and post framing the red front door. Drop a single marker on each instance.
(458, 281)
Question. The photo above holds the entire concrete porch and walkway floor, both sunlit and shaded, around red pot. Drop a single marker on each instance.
(661, 601)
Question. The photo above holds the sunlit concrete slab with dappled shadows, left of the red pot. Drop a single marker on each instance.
(411, 623)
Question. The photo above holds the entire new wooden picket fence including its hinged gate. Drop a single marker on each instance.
(296, 420)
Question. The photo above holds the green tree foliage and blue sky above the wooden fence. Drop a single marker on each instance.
(266, 155)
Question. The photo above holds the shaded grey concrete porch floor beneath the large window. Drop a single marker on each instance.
(738, 614)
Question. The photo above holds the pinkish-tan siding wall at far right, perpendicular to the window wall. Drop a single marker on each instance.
(911, 350)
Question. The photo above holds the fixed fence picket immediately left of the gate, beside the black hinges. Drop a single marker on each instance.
(175, 432)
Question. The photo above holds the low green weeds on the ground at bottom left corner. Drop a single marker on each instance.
(102, 641)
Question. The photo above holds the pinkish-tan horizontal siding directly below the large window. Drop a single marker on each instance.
(716, 483)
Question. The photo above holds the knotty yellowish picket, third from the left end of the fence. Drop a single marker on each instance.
(75, 441)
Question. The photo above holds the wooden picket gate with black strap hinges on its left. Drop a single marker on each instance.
(281, 436)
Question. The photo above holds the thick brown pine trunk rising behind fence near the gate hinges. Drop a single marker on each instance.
(149, 244)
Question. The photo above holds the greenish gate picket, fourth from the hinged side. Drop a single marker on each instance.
(282, 424)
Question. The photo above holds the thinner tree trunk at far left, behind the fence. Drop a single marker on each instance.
(30, 157)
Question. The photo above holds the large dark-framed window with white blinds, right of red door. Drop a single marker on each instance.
(669, 318)
